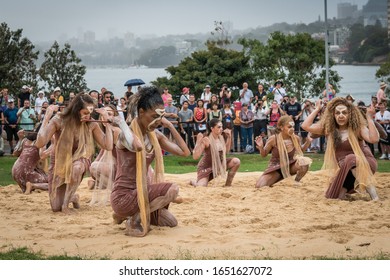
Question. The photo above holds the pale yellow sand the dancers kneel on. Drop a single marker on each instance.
(283, 222)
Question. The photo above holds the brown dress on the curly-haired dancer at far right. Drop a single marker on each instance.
(346, 160)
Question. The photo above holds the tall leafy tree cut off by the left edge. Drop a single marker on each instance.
(17, 60)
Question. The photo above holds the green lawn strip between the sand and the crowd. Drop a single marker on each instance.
(180, 165)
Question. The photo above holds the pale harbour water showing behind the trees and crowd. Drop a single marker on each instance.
(359, 81)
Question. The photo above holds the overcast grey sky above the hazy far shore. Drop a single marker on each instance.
(49, 19)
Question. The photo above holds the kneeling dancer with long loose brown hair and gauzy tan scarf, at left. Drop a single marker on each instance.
(74, 147)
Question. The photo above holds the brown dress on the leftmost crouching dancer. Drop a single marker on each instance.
(25, 168)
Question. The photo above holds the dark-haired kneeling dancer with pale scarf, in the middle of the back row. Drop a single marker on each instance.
(214, 163)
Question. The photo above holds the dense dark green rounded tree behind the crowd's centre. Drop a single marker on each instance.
(214, 66)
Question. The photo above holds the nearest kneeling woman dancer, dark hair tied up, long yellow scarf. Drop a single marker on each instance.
(135, 197)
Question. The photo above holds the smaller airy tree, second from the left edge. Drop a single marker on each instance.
(62, 68)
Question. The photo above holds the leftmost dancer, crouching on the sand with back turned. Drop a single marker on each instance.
(27, 170)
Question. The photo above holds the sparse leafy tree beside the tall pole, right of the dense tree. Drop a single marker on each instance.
(298, 60)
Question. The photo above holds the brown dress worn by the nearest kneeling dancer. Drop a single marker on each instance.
(124, 202)
